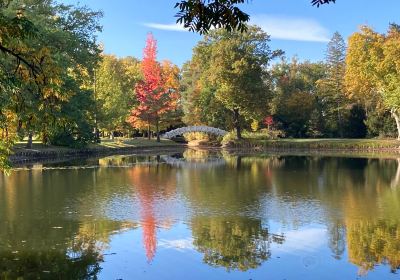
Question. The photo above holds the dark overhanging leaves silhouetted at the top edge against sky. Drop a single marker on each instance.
(203, 15)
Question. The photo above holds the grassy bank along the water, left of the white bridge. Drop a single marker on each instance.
(107, 146)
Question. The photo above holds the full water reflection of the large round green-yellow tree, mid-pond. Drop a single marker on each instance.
(226, 225)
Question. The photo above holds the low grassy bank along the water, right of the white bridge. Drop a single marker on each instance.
(316, 144)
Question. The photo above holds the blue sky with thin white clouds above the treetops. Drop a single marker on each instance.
(295, 26)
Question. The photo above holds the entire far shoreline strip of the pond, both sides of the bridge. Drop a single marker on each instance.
(322, 147)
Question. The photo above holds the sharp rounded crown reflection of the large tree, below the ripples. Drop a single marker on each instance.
(233, 243)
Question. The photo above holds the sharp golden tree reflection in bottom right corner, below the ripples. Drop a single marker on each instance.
(372, 243)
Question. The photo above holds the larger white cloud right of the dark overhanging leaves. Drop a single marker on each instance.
(290, 28)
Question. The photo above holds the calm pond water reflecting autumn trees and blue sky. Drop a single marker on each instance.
(202, 215)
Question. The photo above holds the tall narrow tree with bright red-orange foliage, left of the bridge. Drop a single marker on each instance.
(154, 96)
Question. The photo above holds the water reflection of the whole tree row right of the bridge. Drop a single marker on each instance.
(350, 189)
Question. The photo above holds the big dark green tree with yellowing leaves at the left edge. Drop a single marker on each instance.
(56, 52)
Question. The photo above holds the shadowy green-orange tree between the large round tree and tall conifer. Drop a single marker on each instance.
(296, 104)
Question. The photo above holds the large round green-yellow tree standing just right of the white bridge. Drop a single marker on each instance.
(237, 69)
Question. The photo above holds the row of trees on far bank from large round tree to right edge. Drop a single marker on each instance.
(354, 93)
